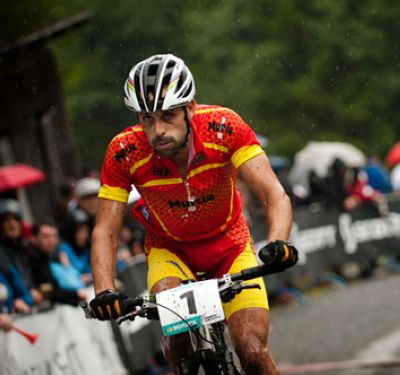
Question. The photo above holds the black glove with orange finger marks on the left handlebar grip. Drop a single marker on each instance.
(108, 305)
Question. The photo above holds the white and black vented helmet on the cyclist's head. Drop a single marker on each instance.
(159, 82)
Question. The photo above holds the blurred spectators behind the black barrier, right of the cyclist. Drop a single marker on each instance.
(343, 187)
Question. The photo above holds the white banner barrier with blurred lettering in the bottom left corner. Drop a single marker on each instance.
(67, 344)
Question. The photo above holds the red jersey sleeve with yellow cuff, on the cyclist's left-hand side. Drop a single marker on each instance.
(115, 176)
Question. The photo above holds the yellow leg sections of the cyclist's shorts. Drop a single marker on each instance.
(163, 263)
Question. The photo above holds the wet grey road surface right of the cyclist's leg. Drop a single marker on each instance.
(359, 322)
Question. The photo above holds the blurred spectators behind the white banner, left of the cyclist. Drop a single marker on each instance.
(48, 261)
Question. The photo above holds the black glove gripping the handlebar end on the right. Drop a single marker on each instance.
(279, 255)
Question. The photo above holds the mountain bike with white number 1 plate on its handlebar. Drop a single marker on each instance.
(196, 307)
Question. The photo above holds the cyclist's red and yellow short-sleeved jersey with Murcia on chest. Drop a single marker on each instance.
(202, 205)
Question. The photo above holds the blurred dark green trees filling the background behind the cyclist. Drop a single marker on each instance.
(295, 70)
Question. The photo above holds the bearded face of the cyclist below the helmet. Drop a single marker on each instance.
(165, 130)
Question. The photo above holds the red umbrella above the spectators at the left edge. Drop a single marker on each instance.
(19, 175)
